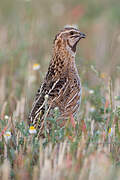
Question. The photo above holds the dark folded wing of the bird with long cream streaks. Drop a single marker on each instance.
(53, 89)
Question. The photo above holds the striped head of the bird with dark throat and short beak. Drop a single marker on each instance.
(68, 38)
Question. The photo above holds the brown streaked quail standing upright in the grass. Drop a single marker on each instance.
(61, 85)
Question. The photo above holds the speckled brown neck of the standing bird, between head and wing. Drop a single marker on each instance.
(62, 63)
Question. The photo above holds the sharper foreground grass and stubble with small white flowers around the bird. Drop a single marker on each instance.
(86, 148)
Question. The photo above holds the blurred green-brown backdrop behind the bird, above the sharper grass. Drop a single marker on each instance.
(27, 31)
